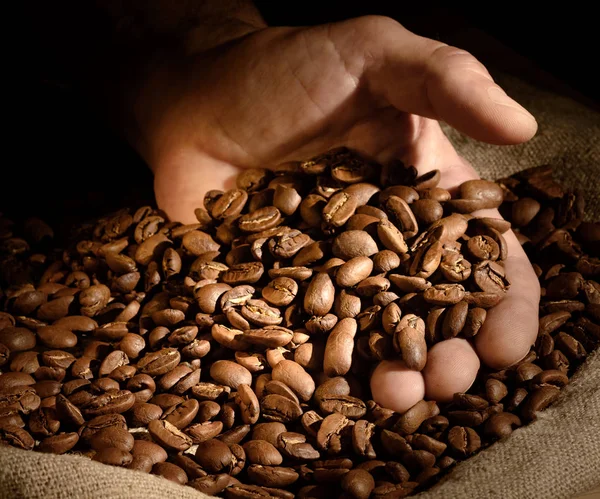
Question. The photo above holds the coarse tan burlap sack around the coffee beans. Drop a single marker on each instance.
(557, 456)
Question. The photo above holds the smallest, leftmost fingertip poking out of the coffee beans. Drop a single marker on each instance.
(396, 387)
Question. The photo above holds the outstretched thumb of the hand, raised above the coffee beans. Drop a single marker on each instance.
(425, 77)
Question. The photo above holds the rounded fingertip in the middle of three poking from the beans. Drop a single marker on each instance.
(451, 367)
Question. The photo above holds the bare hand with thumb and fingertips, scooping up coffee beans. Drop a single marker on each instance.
(286, 94)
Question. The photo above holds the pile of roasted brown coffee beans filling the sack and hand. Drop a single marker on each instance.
(234, 355)
